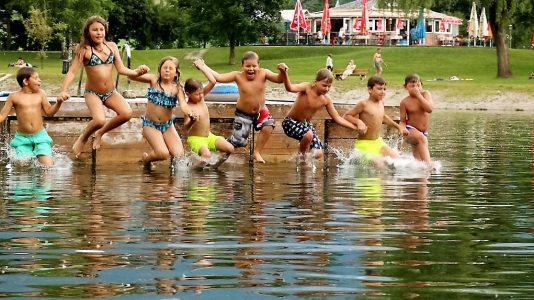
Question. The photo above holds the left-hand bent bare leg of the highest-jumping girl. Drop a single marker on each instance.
(94, 104)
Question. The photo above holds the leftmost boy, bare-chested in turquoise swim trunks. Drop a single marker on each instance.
(31, 139)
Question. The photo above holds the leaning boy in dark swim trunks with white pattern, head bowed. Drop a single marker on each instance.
(311, 97)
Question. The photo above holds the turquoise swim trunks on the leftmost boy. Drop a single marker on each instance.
(36, 144)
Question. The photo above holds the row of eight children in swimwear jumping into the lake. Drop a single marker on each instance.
(98, 56)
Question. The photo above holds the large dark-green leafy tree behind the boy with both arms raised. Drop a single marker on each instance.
(236, 22)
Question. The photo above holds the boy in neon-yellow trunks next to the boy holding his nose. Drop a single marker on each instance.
(368, 115)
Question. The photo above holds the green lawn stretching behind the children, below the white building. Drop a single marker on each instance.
(478, 64)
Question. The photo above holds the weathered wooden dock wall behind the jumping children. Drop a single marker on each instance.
(126, 143)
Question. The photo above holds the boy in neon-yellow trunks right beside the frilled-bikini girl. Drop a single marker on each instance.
(199, 137)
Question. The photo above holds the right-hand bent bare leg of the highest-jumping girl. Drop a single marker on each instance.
(124, 113)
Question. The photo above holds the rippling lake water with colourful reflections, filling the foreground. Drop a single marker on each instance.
(273, 231)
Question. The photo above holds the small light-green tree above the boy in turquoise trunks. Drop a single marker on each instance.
(39, 30)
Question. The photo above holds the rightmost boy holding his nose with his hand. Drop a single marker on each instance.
(415, 112)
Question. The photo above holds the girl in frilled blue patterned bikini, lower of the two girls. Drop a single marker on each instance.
(163, 95)
